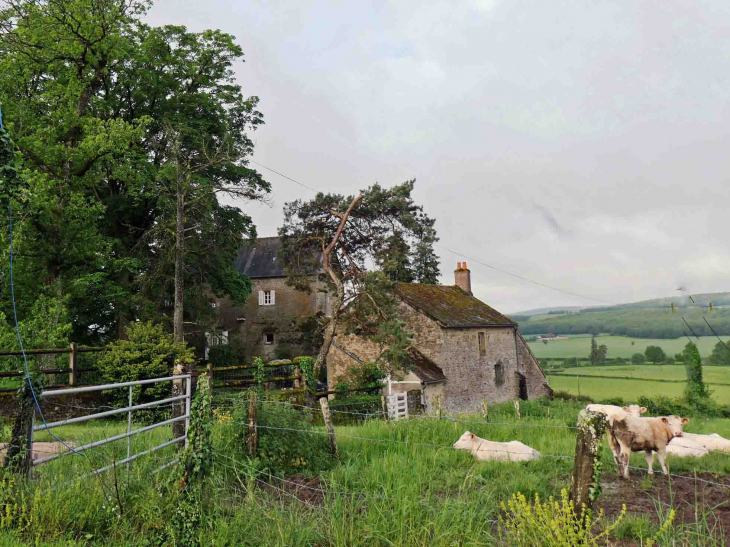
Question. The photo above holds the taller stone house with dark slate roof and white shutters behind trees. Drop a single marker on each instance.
(272, 318)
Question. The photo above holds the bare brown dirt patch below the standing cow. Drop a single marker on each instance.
(690, 495)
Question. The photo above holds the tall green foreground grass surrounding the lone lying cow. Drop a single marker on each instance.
(397, 484)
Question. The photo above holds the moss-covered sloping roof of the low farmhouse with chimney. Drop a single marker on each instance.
(450, 306)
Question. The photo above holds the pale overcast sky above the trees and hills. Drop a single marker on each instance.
(581, 145)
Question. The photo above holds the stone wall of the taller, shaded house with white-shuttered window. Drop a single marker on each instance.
(282, 319)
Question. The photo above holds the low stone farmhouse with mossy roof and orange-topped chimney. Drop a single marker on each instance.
(463, 350)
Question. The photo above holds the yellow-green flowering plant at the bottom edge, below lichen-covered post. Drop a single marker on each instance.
(551, 523)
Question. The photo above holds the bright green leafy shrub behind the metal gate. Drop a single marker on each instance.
(147, 353)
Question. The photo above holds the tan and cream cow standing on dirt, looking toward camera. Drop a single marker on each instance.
(647, 434)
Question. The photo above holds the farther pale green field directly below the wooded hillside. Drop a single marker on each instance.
(618, 346)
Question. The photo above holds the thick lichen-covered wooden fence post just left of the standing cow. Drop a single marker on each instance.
(586, 467)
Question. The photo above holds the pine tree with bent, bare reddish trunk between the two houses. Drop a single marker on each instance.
(349, 234)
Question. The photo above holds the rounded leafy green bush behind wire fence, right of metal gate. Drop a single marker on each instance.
(286, 450)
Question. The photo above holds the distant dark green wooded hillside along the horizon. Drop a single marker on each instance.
(639, 323)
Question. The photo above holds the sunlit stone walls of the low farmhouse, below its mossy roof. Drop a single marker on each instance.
(471, 376)
